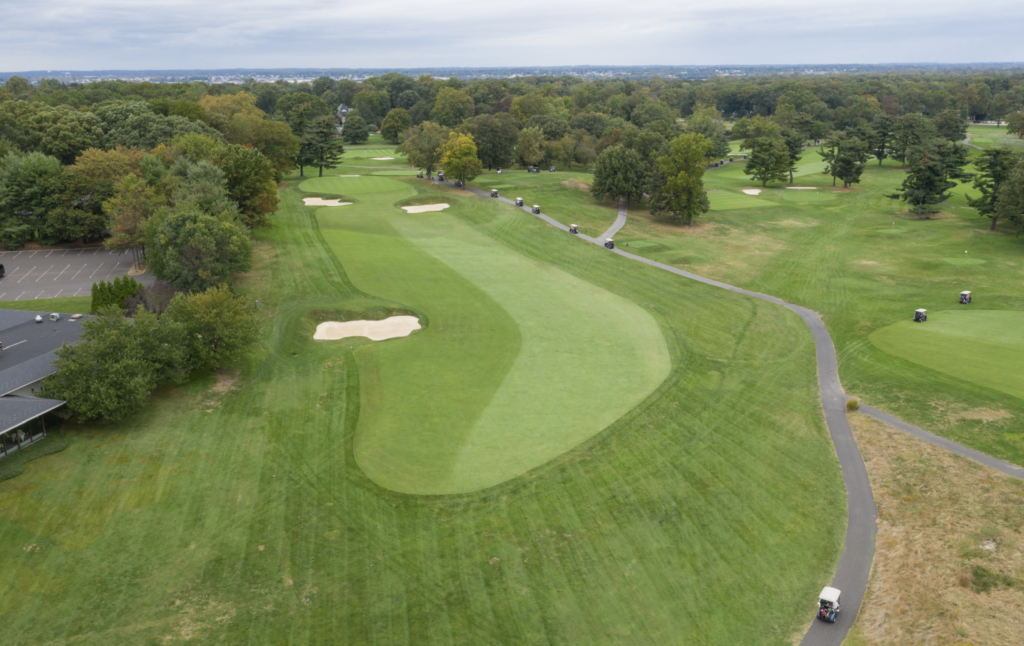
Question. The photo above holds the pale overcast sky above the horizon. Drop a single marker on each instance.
(211, 34)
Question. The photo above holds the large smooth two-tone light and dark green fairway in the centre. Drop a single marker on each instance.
(521, 362)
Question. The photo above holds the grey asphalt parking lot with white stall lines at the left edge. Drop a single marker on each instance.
(53, 273)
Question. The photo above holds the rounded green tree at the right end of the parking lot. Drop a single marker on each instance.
(193, 250)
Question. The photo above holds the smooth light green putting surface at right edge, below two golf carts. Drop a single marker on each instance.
(985, 348)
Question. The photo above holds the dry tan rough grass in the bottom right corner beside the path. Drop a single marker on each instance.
(950, 554)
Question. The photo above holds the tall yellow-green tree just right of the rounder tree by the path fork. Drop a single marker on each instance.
(682, 197)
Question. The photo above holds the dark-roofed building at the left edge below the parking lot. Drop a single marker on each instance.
(27, 344)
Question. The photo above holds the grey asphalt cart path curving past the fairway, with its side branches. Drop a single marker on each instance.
(856, 564)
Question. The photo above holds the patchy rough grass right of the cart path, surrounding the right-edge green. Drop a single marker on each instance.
(857, 259)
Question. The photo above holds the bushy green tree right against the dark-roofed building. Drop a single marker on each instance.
(116, 364)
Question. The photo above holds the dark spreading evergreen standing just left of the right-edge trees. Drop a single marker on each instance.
(933, 167)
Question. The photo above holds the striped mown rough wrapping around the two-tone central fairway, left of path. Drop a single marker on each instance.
(241, 516)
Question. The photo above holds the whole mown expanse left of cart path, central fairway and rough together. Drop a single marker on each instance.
(241, 513)
